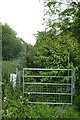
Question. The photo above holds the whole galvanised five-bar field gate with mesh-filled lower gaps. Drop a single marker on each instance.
(57, 89)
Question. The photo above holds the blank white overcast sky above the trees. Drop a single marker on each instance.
(23, 16)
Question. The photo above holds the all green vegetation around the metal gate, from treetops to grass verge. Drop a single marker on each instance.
(58, 38)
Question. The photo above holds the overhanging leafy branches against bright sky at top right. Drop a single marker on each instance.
(64, 15)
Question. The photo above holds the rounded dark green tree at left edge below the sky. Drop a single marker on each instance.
(11, 45)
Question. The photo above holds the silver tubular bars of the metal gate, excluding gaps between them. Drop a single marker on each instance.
(39, 83)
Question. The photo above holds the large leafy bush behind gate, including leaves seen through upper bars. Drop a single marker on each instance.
(52, 52)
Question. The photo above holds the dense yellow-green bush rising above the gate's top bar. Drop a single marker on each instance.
(53, 53)
